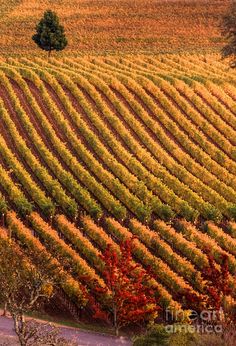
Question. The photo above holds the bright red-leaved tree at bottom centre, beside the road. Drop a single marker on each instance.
(131, 294)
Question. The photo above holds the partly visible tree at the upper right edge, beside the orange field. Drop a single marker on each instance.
(228, 30)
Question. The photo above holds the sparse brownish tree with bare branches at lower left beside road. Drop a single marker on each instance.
(23, 285)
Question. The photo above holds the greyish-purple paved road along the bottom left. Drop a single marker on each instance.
(82, 337)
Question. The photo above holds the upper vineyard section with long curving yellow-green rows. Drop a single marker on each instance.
(122, 136)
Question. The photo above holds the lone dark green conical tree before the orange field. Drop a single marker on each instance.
(50, 34)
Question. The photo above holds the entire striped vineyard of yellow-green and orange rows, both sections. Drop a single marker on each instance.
(98, 150)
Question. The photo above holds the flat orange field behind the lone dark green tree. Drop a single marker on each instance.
(126, 25)
